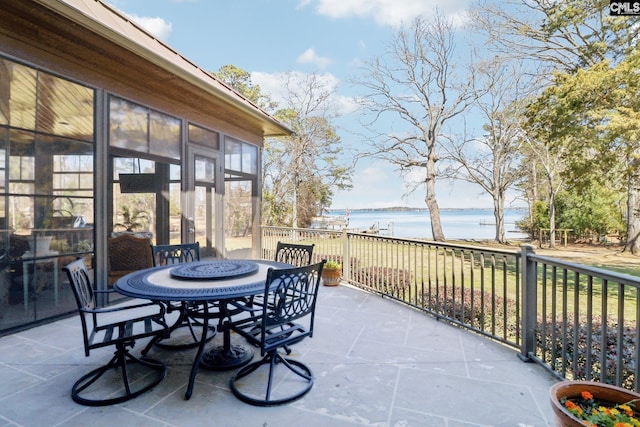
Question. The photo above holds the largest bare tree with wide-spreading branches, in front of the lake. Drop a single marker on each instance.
(416, 82)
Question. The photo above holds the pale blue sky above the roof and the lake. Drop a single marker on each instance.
(332, 38)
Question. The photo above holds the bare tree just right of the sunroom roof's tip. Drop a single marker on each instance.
(306, 166)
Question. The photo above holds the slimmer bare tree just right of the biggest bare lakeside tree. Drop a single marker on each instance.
(493, 160)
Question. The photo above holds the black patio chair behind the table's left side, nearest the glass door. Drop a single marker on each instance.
(179, 254)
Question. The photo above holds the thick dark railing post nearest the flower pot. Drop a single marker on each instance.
(529, 304)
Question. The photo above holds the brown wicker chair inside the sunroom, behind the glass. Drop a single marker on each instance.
(128, 253)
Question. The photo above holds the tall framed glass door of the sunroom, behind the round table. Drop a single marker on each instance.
(203, 195)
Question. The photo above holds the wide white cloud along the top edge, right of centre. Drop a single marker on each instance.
(389, 12)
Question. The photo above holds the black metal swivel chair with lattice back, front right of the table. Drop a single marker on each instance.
(286, 319)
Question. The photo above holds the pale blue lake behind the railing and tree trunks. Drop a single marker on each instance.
(456, 223)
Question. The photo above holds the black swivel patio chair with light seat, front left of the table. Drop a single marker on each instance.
(128, 376)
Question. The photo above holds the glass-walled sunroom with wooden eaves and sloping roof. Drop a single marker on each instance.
(104, 129)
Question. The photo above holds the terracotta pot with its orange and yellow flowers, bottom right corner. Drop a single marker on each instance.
(580, 403)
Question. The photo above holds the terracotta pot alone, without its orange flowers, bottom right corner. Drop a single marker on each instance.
(602, 392)
